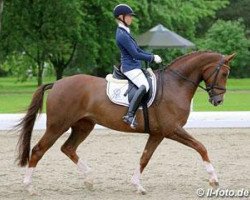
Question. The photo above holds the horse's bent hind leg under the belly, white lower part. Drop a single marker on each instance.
(80, 131)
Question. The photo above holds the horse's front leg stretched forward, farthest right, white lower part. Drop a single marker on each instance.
(185, 138)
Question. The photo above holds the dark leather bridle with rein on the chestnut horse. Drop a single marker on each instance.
(210, 87)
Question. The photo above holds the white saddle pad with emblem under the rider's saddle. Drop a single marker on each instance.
(117, 88)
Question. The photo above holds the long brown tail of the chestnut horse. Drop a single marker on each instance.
(27, 123)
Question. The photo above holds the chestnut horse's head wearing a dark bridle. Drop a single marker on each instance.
(215, 76)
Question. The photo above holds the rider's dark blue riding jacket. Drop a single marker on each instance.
(131, 53)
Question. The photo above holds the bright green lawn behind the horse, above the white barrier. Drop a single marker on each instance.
(16, 96)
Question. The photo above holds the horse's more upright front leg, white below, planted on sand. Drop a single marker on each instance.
(152, 143)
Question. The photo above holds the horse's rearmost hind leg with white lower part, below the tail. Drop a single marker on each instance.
(48, 139)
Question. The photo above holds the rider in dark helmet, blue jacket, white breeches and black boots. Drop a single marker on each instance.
(131, 56)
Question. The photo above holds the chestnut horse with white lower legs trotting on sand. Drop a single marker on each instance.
(79, 102)
